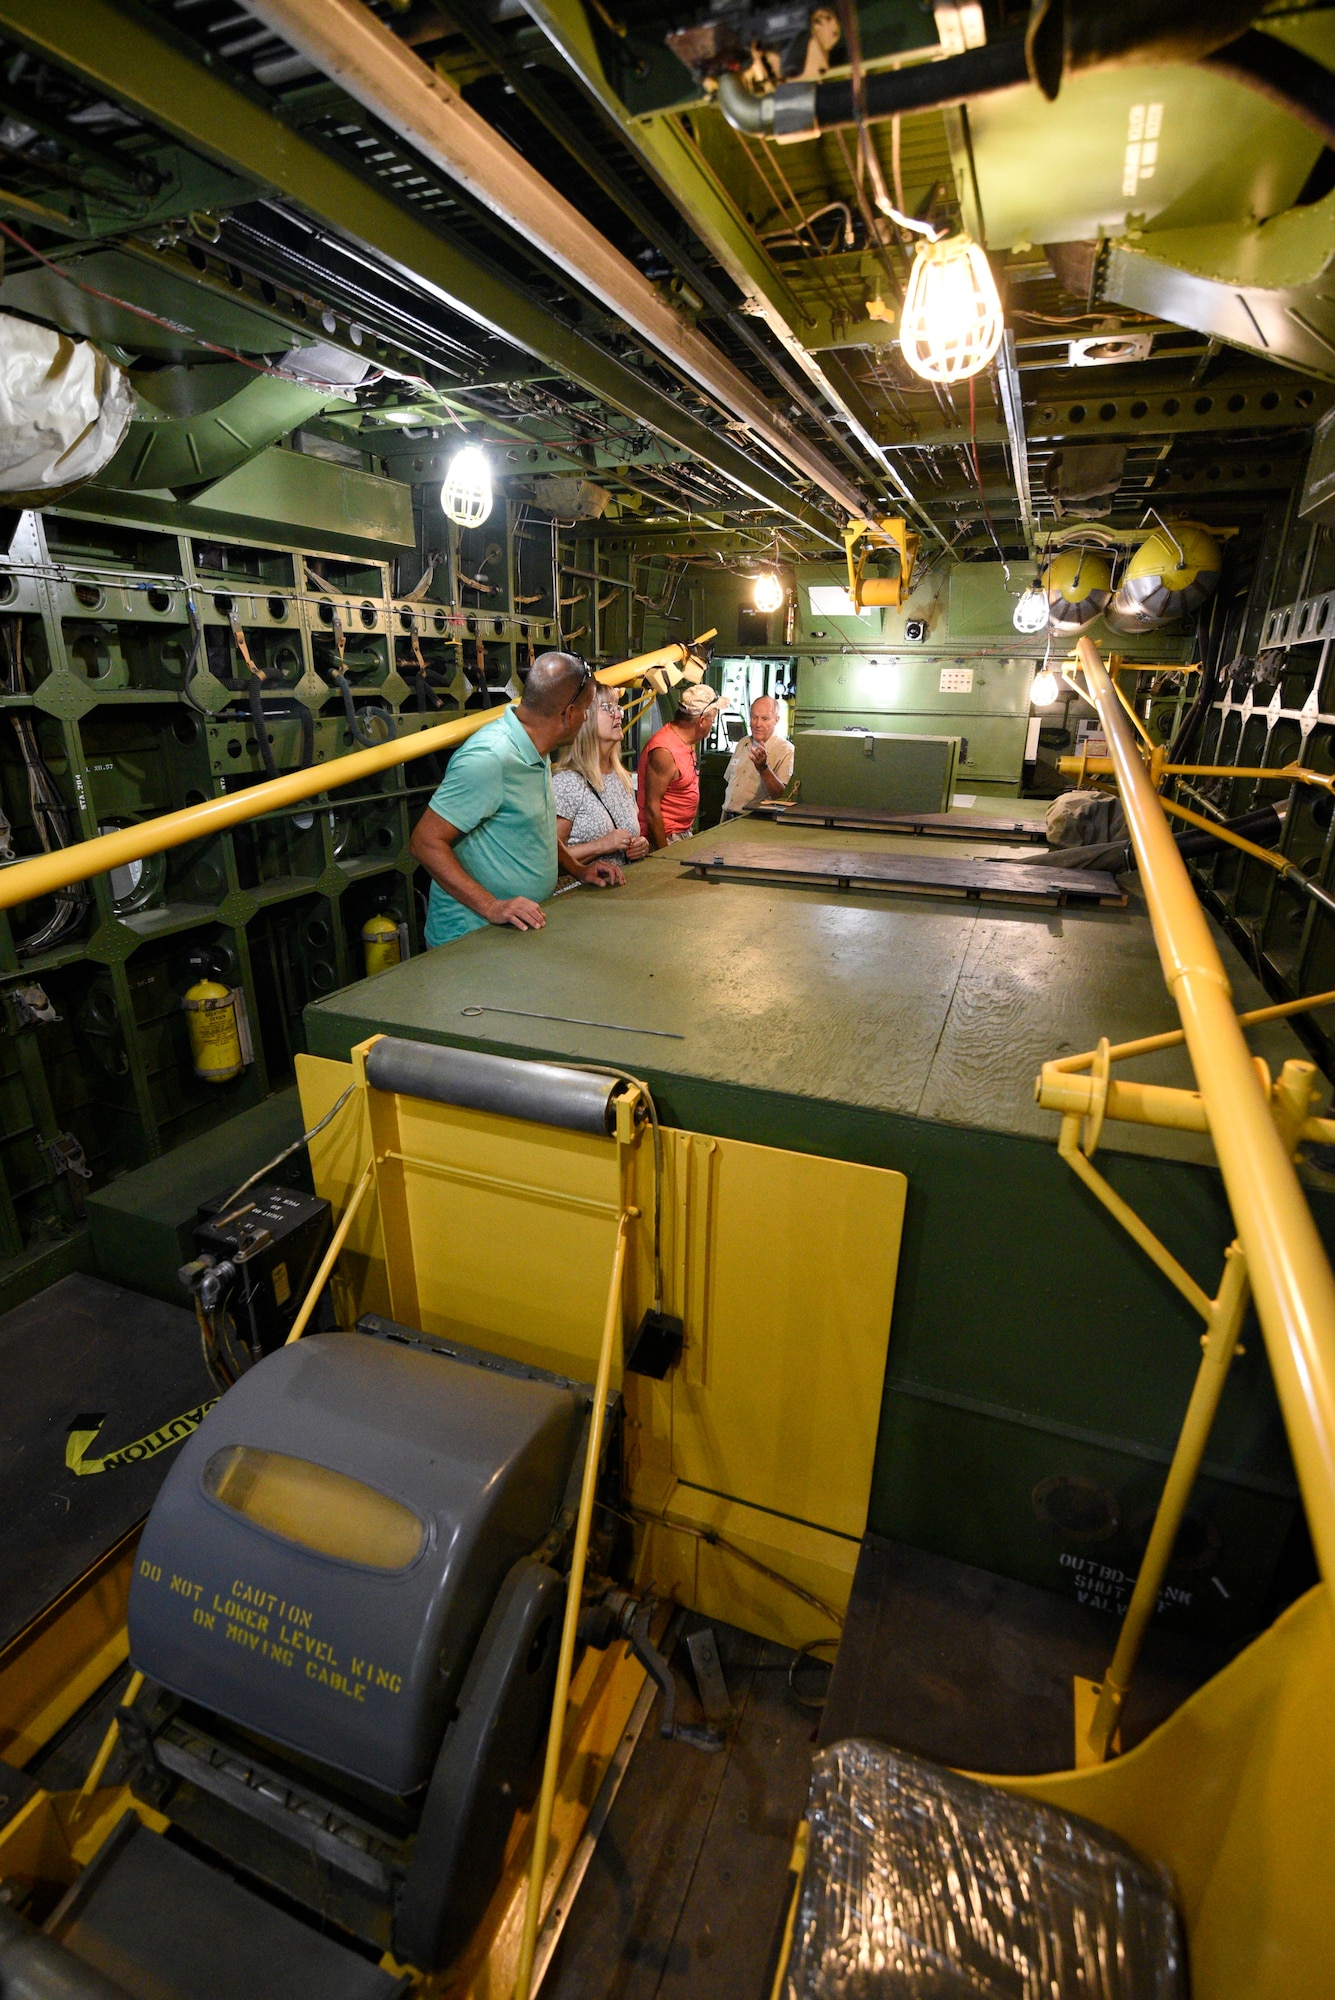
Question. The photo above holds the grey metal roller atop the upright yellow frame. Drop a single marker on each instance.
(537, 1091)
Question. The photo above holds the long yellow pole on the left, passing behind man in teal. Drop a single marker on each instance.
(43, 875)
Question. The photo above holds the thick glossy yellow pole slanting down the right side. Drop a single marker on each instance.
(1288, 1267)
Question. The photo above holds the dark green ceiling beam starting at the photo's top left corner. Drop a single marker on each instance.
(173, 91)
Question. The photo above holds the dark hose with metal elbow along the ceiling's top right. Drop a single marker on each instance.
(1064, 39)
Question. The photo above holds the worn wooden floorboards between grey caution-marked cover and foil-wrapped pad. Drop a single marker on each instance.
(686, 1889)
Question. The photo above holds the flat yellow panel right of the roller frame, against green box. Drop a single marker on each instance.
(784, 1269)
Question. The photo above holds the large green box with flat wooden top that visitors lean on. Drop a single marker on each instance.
(1038, 1367)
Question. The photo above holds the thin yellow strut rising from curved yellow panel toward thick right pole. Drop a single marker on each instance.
(1222, 1329)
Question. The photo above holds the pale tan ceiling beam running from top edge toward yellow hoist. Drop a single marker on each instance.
(391, 81)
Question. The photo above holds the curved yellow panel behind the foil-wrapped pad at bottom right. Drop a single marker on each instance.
(1236, 1795)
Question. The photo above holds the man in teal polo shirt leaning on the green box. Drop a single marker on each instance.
(489, 839)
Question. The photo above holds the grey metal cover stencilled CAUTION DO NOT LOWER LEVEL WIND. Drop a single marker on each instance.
(353, 1665)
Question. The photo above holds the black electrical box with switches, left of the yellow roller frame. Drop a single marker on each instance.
(273, 1239)
